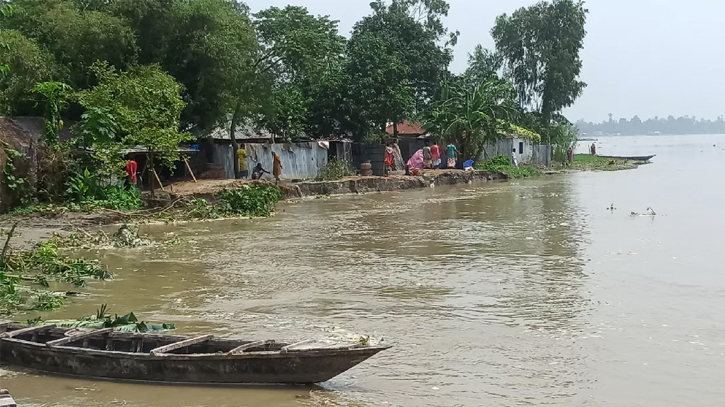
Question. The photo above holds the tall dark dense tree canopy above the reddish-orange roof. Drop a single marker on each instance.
(416, 47)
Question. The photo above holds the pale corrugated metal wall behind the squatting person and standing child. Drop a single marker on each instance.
(299, 160)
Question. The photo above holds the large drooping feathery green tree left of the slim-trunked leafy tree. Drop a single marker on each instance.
(207, 45)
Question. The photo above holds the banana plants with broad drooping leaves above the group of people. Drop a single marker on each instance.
(470, 117)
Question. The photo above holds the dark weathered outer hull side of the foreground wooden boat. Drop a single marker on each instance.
(293, 367)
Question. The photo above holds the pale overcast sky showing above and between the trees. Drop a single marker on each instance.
(641, 57)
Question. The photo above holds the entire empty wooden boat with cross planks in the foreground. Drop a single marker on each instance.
(106, 354)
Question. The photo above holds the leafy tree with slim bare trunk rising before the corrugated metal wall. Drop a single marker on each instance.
(295, 52)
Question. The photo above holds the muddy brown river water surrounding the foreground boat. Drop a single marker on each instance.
(501, 294)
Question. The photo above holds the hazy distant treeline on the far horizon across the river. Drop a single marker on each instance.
(655, 125)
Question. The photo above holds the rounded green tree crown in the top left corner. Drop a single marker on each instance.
(77, 38)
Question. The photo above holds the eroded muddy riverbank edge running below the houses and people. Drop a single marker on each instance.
(37, 227)
